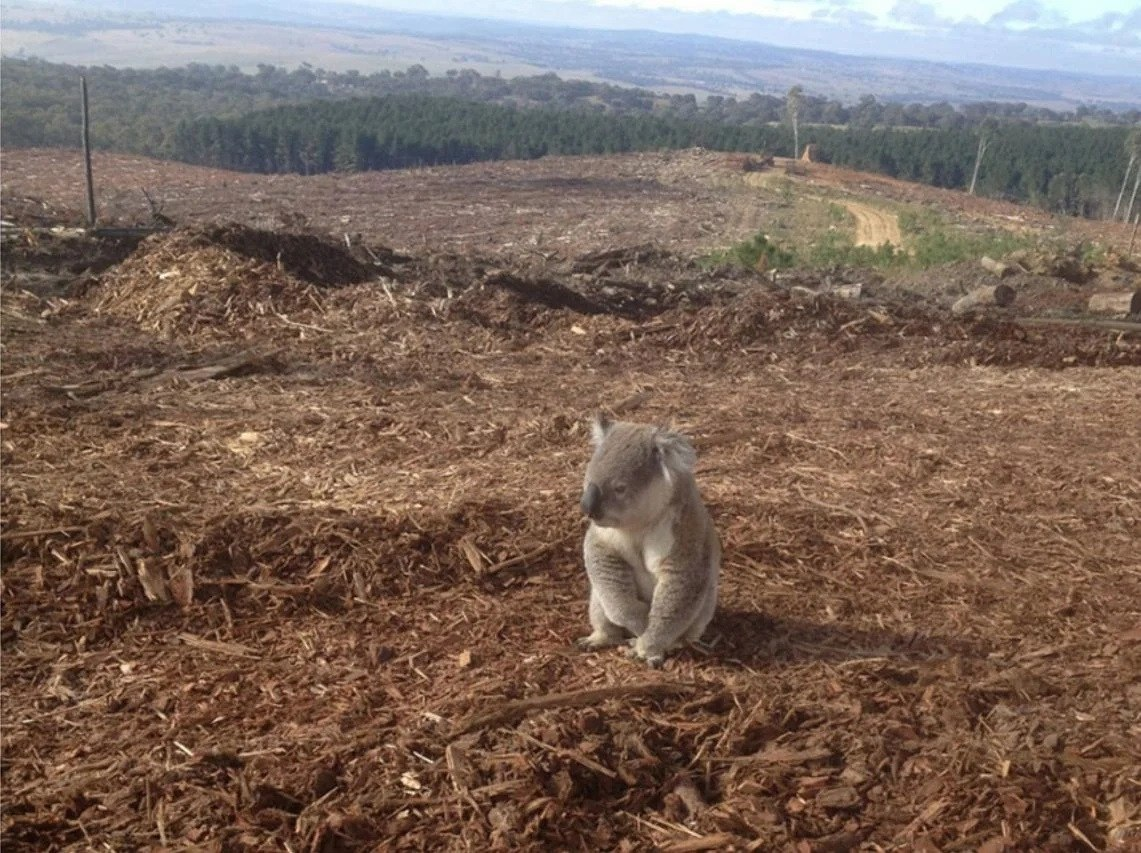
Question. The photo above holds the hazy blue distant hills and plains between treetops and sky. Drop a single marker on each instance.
(344, 38)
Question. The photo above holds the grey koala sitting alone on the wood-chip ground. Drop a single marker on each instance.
(652, 554)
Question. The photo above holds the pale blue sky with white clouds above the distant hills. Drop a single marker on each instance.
(1087, 36)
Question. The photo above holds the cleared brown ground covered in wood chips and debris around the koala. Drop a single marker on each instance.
(292, 534)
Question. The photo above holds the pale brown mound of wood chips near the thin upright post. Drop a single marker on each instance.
(184, 282)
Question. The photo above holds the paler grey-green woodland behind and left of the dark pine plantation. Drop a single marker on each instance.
(136, 110)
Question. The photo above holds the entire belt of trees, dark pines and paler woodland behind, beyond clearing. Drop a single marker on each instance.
(309, 121)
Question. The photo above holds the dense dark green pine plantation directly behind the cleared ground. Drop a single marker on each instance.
(1067, 168)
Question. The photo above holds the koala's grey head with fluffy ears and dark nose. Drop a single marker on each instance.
(627, 485)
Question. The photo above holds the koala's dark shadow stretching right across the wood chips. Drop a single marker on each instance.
(759, 640)
